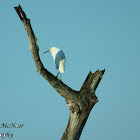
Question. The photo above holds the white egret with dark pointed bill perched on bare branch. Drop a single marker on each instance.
(59, 59)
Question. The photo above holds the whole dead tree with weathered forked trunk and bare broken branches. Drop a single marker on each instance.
(80, 102)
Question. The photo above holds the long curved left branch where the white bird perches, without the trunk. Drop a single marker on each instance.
(60, 87)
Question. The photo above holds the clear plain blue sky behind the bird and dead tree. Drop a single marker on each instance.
(93, 34)
